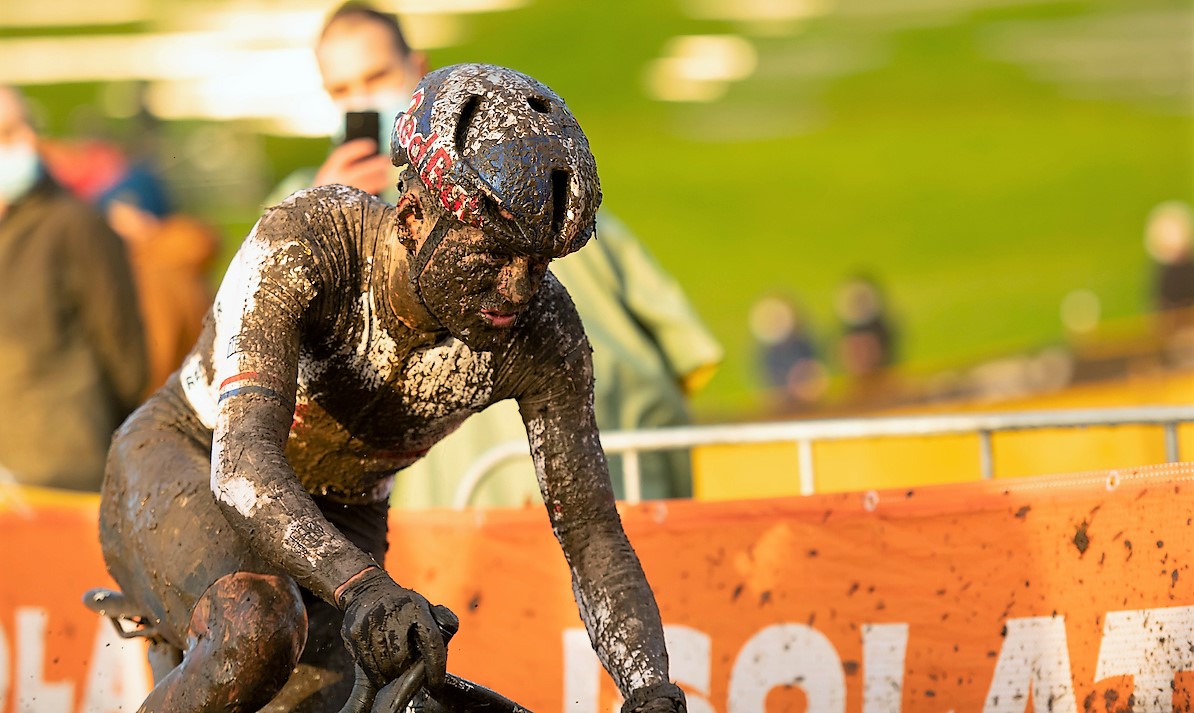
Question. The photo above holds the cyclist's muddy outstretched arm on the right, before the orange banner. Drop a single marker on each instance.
(616, 601)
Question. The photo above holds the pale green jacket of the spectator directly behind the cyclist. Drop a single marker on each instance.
(647, 337)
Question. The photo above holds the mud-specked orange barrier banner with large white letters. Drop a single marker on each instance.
(1051, 595)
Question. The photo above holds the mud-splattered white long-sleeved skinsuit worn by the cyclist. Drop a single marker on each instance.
(311, 392)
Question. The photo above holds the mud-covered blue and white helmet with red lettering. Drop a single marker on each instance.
(502, 152)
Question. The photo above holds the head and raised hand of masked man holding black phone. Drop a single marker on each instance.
(367, 66)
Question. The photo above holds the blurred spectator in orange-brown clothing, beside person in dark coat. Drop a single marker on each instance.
(171, 256)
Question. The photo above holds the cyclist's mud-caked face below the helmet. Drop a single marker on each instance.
(477, 287)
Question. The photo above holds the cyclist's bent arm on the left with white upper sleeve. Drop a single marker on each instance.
(260, 311)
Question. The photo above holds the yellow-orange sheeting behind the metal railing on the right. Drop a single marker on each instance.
(736, 472)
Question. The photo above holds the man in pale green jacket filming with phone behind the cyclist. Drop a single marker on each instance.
(650, 347)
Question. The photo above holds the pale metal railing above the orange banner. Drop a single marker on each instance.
(804, 434)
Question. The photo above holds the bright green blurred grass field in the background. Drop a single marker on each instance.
(983, 158)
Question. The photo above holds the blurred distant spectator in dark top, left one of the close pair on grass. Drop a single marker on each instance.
(787, 353)
